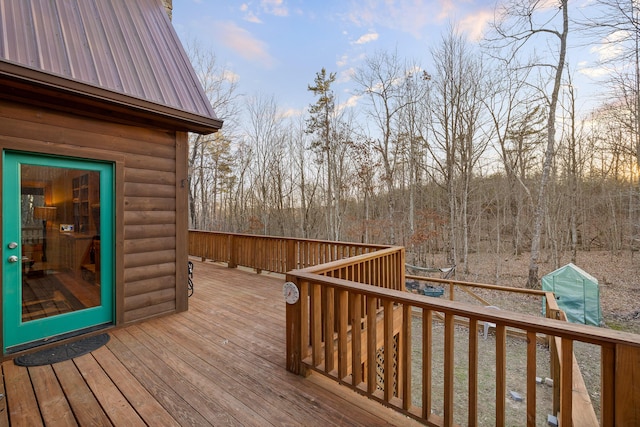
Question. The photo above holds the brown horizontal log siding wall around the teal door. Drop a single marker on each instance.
(150, 227)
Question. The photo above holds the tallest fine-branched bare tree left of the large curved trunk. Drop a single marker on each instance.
(456, 144)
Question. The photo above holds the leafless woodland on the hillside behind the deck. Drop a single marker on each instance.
(479, 147)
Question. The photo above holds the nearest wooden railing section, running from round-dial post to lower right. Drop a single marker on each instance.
(342, 300)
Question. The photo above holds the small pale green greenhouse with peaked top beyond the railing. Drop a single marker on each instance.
(577, 293)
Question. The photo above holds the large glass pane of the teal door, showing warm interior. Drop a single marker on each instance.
(60, 219)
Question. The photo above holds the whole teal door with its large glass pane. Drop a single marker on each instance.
(57, 272)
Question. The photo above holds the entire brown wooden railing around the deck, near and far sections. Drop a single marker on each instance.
(363, 336)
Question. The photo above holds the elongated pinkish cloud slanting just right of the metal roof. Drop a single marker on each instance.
(243, 43)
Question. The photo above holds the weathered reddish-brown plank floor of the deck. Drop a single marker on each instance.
(220, 363)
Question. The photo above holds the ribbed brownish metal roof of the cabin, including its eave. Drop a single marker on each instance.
(121, 52)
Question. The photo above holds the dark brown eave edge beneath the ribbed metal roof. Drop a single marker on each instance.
(181, 120)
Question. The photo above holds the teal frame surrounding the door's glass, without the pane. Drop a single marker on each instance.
(17, 334)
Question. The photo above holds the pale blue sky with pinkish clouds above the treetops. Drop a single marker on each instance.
(276, 47)
